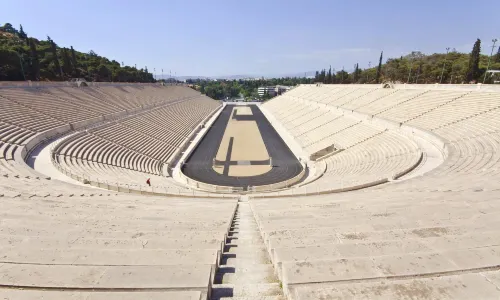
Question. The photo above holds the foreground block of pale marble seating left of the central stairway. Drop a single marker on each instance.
(103, 243)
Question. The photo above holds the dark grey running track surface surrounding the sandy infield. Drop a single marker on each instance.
(199, 164)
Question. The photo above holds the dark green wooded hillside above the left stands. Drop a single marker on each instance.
(45, 60)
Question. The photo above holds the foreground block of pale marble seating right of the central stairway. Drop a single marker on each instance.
(403, 235)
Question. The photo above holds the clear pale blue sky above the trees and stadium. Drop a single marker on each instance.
(223, 37)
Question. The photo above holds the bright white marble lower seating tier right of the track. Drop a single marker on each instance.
(392, 153)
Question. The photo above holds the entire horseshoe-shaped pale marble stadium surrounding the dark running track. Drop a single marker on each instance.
(324, 192)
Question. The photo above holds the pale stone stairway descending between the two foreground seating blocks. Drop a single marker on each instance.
(245, 270)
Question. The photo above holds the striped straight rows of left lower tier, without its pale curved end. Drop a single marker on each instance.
(143, 142)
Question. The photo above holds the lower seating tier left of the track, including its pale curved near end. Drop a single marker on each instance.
(138, 144)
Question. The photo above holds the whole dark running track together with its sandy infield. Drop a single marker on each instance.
(242, 150)
